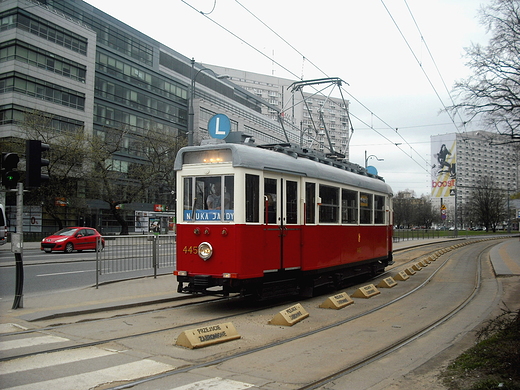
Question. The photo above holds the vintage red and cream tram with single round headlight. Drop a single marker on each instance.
(276, 219)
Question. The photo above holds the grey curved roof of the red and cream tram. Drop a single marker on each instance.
(256, 157)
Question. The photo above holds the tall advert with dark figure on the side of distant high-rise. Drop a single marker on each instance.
(443, 165)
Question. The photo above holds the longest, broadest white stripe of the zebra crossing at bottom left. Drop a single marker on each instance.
(125, 372)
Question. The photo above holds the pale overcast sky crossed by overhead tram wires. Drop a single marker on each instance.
(389, 86)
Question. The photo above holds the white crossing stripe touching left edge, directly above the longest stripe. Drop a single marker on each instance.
(53, 358)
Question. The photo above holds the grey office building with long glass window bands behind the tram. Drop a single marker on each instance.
(82, 70)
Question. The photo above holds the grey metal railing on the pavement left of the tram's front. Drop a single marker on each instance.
(134, 253)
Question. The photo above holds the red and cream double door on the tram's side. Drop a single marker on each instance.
(281, 212)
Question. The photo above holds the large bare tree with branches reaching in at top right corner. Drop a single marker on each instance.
(492, 93)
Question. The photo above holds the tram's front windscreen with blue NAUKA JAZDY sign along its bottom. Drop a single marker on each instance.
(209, 198)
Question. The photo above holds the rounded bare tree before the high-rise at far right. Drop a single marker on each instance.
(488, 204)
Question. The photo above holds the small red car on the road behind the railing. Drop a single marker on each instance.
(73, 238)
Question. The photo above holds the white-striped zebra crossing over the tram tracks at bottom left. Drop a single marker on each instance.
(83, 368)
